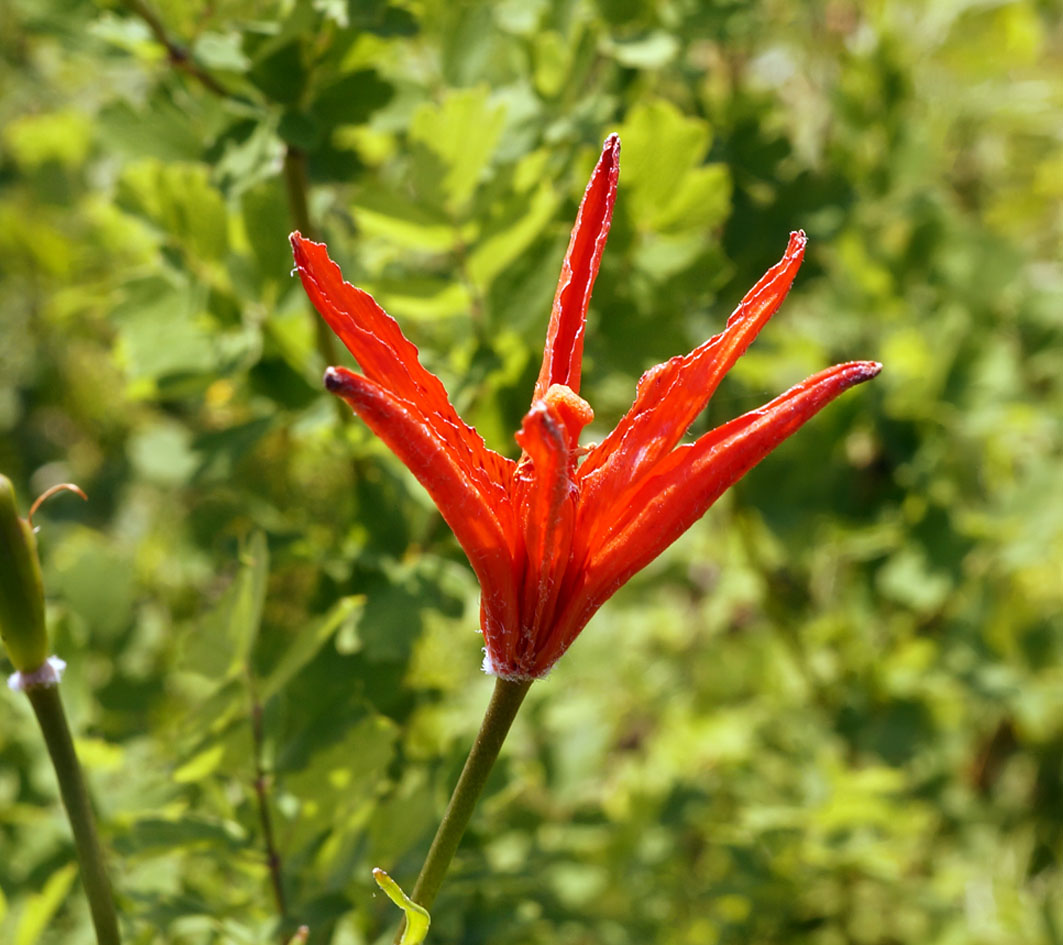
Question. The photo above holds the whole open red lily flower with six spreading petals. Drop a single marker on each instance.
(550, 537)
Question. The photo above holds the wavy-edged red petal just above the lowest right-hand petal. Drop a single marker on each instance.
(672, 395)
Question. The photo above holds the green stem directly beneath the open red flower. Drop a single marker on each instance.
(505, 701)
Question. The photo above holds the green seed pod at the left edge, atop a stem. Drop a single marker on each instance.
(22, 589)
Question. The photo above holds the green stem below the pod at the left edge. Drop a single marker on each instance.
(48, 707)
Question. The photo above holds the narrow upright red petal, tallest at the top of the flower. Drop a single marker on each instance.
(563, 360)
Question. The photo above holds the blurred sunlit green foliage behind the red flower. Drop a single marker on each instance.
(832, 714)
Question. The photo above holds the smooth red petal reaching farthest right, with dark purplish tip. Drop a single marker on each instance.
(650, 516)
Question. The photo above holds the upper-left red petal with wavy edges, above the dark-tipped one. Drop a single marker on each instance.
(391, 360)
